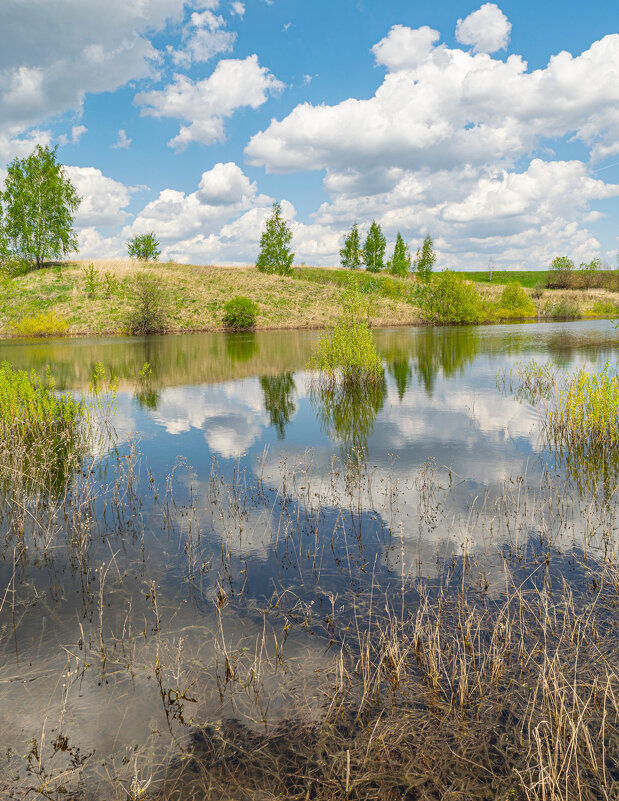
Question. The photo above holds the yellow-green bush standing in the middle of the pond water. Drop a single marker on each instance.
(349, 353)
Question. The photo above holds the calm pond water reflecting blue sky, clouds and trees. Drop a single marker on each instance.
(203, 580)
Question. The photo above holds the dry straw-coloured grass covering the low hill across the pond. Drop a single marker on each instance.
(197, 294)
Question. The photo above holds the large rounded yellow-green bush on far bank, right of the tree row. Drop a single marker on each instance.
(450, 300)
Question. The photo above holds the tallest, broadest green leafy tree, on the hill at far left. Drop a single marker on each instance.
(39, 204)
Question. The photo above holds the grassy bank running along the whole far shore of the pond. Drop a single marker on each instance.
(78, 298)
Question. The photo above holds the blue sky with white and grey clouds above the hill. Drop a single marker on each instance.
(494, 127)
